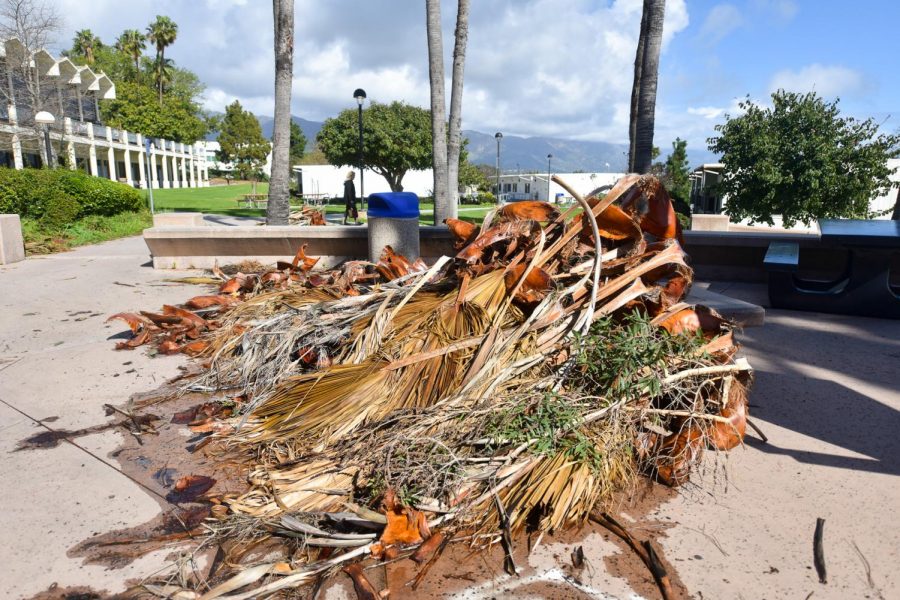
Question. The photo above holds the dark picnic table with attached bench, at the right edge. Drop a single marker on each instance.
(864, 288)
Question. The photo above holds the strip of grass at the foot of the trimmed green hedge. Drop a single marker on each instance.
(40, 239)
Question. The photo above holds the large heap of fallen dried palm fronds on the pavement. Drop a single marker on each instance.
(518, 385)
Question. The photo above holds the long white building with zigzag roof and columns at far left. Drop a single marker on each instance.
(71, 93)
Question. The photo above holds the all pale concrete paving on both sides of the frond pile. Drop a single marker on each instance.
(826, 395)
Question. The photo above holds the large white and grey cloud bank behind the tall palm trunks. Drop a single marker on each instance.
(534, 67)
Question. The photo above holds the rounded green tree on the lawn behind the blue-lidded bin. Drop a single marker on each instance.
(396, 139)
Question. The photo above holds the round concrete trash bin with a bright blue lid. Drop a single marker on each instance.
(393, 219)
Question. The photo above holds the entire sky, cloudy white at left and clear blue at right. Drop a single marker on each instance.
(559, 68)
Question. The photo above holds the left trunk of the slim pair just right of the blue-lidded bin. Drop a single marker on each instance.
(438, 109)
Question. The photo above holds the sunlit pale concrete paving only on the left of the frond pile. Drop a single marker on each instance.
(57, 365)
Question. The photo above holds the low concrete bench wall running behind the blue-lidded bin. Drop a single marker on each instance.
(202, 247)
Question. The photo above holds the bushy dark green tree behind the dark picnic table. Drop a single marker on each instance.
(802, 160)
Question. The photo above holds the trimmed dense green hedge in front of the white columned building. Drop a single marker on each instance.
(56, 194)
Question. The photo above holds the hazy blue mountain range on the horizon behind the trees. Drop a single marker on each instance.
(523, 153)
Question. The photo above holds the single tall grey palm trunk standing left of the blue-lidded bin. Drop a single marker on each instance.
(278, 208)
